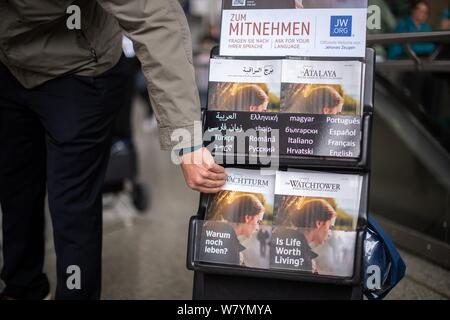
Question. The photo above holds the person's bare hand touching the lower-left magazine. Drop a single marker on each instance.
(201, 173)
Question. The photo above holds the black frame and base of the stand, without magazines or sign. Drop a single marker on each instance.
(234, 283)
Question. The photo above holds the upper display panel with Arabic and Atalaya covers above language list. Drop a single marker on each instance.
(285, 107)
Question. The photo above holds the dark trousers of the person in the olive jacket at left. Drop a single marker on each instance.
(56, 135)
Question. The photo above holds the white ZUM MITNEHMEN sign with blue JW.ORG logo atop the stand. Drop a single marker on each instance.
(315, 28)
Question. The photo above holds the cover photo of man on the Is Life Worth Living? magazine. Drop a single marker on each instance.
(323, 228)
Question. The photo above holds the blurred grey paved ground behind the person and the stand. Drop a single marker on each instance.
(144, 255)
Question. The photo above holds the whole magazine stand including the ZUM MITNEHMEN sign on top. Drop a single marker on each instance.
(282, 121)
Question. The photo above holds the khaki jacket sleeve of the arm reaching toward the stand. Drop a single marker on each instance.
(162, 41)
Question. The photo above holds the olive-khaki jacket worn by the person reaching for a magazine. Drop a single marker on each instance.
(36, 45)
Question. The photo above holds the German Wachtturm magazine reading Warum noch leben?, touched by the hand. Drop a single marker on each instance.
(237, 218)
